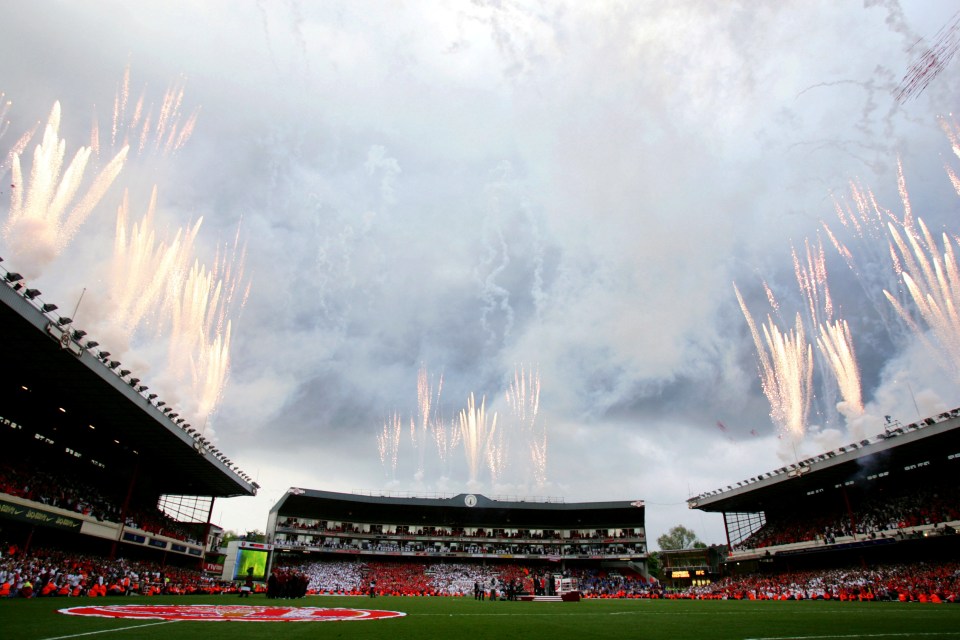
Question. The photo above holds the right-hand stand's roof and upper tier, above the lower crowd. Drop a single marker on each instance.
(892, 497)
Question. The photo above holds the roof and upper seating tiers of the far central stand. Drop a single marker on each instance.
(467, 526)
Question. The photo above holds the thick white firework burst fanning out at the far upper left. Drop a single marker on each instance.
(45, 212)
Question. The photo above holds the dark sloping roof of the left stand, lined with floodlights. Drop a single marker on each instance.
(71, 400)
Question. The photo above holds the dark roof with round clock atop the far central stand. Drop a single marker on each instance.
(457, 510)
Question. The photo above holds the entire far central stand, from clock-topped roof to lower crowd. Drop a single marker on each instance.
(444, 545)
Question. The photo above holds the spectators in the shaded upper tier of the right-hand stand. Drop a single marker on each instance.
(876, 516)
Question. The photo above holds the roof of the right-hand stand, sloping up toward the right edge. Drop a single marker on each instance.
(928, 447)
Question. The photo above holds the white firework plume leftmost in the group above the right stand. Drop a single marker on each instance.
(786, 372)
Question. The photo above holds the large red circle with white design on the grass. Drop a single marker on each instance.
(240, 613)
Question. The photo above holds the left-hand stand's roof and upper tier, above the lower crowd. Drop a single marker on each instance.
(91, 458)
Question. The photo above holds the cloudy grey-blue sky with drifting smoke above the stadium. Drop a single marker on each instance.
(486, 191)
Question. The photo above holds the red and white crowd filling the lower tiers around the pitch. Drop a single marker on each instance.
(48, 572)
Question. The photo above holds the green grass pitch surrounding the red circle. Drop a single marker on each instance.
(466, 619)
